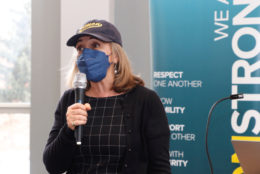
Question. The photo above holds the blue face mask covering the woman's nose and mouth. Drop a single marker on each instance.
(94, 64)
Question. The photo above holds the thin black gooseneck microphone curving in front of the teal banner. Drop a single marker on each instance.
(231, 97)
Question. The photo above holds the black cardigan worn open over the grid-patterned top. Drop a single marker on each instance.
(147, 128)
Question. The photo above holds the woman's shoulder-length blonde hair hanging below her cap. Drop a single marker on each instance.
(124, 79)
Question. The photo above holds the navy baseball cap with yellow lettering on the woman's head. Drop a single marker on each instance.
(99, 29)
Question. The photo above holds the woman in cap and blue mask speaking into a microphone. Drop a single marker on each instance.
(125, 129)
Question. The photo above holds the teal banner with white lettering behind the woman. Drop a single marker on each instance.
(204, 51)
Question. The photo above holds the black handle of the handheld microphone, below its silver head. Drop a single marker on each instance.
(79, 98)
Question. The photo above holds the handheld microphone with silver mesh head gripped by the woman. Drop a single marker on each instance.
(80, 84)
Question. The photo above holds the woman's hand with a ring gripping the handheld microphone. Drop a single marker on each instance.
(77, 115)
